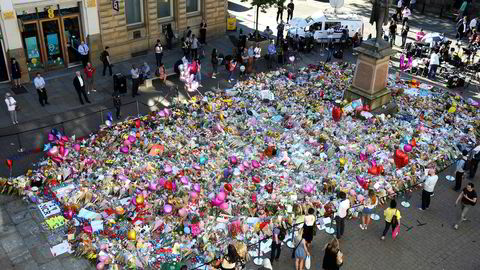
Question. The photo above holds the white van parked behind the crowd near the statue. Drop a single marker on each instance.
(318, 25)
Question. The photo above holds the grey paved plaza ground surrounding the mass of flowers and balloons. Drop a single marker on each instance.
(426, 241)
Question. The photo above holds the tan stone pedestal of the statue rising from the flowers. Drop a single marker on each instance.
(371, 74)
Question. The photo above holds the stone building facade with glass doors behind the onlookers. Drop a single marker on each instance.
(44, 35)
